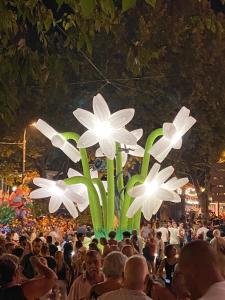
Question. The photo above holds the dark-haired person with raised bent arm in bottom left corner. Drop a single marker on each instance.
(31, 289)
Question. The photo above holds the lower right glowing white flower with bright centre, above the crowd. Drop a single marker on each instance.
(155, 189)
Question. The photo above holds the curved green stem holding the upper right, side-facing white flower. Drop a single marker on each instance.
(144, 168)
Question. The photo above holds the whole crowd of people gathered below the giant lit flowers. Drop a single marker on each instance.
(164, 261)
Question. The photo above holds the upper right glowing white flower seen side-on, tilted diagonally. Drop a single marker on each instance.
(172, 134)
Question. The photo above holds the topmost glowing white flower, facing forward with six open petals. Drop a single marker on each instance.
(105, 128)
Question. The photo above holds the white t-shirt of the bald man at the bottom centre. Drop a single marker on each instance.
(124, 294)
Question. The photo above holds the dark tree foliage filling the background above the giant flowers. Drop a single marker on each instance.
(152, 55)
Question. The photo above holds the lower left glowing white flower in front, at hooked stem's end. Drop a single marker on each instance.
(59, 192)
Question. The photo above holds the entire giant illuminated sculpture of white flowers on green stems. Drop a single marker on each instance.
(143, 192)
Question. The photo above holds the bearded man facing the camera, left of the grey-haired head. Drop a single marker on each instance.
(81, 287)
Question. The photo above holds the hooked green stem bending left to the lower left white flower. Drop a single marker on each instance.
(93, 199)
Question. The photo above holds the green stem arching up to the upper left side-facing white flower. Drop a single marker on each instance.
(95, 207)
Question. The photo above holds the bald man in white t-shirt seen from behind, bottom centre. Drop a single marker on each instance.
(135, 279)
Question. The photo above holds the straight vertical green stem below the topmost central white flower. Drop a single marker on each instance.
(111, 194)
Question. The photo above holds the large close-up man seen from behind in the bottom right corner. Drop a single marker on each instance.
(200, 267)
